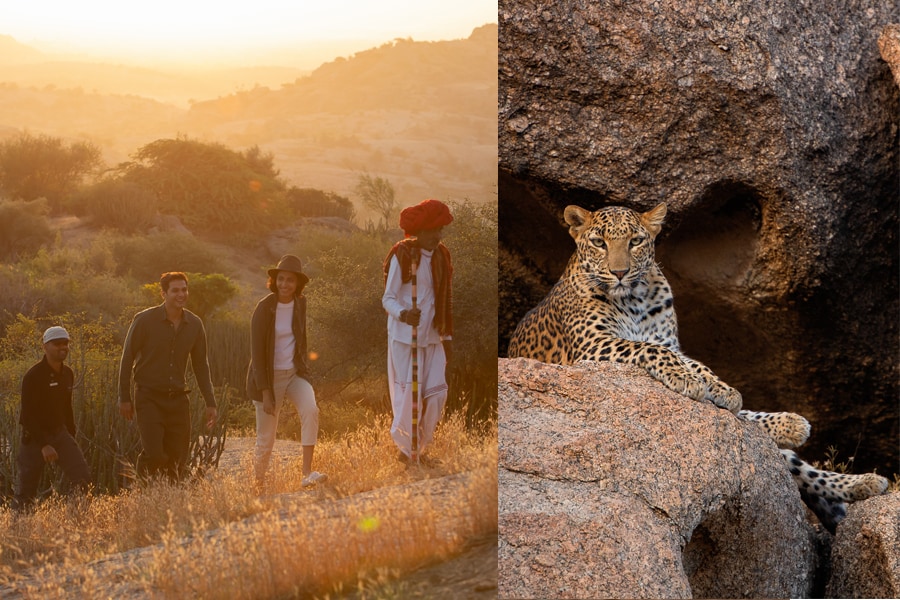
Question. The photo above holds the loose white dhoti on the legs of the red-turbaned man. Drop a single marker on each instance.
(432, 392)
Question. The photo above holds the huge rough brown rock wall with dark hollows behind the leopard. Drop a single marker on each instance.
(771, 130)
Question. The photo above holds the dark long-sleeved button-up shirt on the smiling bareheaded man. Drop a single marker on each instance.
(156, 354)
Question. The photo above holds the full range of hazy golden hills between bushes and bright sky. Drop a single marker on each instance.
(421, 114)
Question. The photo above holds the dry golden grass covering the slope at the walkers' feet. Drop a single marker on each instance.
(216, 539)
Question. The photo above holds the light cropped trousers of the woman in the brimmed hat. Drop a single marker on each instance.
(287, 386)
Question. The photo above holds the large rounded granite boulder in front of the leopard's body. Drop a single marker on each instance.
(613, 487)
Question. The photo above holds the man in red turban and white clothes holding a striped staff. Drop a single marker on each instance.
(433, 319)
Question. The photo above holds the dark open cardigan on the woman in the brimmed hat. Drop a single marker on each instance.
(261, 372)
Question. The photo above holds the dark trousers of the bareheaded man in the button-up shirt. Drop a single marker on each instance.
(164, 422)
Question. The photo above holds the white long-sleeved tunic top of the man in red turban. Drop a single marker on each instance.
(398, 297)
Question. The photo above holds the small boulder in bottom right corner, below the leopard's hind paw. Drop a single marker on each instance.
(865, 556)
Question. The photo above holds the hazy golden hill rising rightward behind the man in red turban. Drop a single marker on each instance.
(421, 114)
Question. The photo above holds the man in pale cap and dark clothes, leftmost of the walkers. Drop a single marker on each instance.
(48, 425)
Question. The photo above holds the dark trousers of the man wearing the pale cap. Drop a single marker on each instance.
(31, 465)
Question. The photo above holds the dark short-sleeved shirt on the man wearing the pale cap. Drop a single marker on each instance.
(46, 402)
